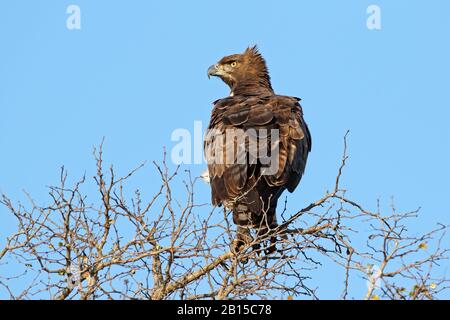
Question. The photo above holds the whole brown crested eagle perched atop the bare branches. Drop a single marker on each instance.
(256, 146)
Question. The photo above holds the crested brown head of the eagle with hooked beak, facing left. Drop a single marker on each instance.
(244, 73)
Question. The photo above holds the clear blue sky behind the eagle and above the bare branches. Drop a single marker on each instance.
(137, 70)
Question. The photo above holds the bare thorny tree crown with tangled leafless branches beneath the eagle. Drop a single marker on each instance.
(113, 246)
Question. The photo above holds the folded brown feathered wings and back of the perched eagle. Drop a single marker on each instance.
(230, 178)
